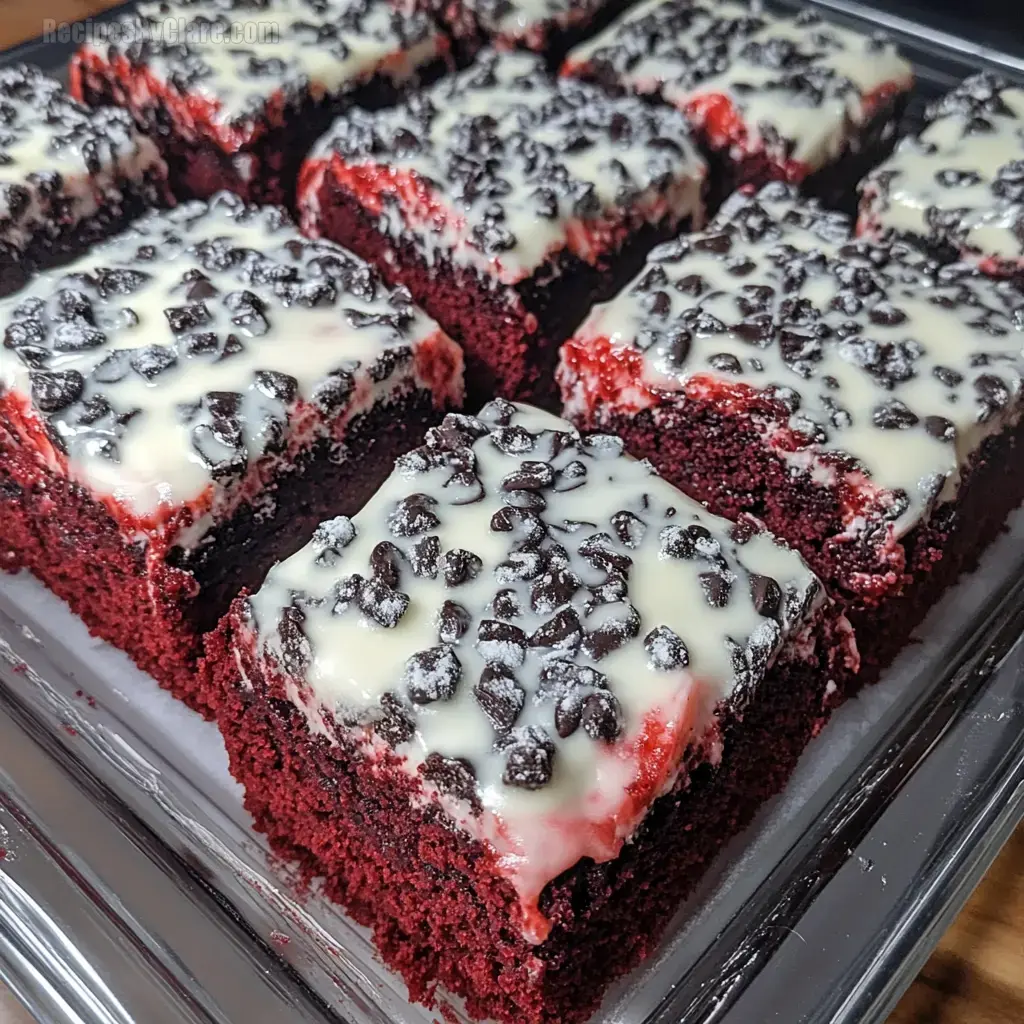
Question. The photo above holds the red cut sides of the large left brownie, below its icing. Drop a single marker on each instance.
(157, 612)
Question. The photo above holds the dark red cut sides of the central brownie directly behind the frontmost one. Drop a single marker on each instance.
(510, 351)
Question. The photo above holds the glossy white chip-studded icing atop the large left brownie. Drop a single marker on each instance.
(173, 359)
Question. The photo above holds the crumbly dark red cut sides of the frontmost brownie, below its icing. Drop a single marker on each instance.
(313, 800)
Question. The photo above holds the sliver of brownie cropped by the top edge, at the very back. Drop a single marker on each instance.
(548, 27)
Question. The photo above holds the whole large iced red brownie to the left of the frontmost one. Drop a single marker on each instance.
(182, 407)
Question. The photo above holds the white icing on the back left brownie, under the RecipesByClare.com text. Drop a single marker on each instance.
(289, 48)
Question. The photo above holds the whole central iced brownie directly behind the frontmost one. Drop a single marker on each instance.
(508, 202)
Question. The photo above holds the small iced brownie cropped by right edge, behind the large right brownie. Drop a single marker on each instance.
(958, 187)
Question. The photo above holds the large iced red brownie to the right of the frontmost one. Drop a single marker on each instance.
(862, 400)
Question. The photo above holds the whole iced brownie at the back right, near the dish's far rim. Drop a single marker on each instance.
(776, 98)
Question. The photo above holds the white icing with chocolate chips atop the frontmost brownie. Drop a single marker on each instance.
(570, 743)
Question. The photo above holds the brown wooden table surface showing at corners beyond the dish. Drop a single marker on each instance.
(976, 976)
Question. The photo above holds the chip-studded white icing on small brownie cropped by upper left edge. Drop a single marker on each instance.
(60, 162)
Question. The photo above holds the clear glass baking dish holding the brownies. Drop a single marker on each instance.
(133, 888)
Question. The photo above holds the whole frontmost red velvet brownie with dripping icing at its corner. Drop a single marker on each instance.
(513, 710)
